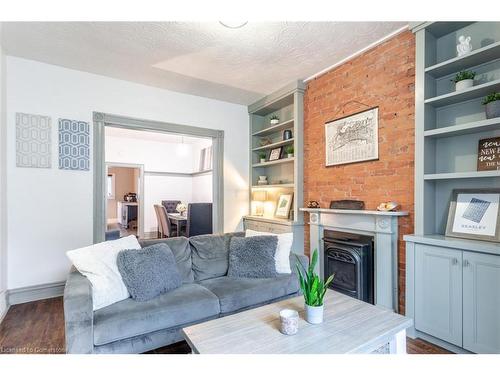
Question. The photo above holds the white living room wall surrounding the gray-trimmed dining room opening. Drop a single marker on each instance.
(50, 210)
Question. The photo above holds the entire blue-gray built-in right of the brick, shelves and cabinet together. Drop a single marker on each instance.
(451, 259)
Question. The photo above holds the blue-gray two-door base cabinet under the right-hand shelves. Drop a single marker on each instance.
(453, 292)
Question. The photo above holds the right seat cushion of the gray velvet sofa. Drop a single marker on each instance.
(236, 294)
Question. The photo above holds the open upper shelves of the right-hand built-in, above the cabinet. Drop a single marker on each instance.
(449, 123)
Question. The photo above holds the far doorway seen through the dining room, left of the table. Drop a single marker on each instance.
(125, 200)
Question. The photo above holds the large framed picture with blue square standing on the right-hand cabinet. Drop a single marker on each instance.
(474, 214)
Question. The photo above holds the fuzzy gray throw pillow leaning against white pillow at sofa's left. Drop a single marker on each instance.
(149, 272)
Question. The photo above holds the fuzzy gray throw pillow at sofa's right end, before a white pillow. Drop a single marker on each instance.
(252, 257)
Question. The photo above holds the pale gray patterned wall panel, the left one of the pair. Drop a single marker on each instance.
(33, 141)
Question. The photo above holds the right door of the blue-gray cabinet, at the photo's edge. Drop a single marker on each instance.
(481, 273)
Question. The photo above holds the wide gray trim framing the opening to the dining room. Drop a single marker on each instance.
(101, 120)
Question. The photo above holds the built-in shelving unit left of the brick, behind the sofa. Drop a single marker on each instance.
(284, 172)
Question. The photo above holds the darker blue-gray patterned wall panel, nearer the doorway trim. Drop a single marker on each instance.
(74, 145)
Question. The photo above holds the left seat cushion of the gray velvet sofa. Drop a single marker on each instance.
(179, 307)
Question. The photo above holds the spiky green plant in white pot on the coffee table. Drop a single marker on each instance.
(313, 289)
